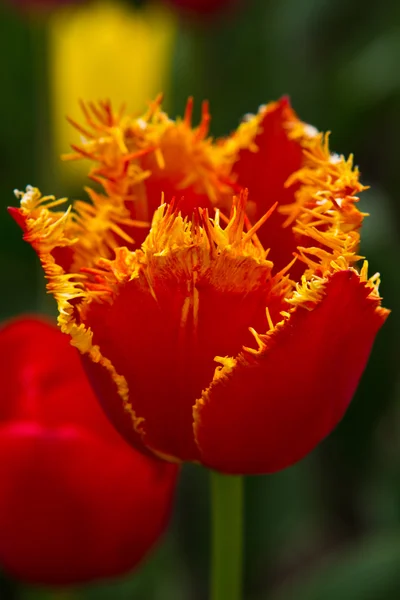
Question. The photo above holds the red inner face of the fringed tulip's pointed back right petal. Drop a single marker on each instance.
(264, 174)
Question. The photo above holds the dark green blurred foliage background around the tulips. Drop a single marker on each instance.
(330, 526)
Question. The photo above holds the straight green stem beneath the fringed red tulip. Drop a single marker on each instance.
(227, 537)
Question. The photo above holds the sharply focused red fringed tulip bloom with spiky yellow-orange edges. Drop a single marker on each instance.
(236, 333)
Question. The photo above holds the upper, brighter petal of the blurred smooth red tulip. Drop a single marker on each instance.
(42, 378)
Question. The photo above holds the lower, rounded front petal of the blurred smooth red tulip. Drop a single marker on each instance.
(73, 508)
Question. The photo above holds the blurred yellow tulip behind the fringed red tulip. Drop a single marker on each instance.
(106, 49)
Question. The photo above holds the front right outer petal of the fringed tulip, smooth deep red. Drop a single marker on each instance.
(271, 411)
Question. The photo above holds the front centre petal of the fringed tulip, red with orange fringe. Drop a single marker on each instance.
(170, 313)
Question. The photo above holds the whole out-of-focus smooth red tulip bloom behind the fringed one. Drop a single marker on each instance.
(76, 502)
